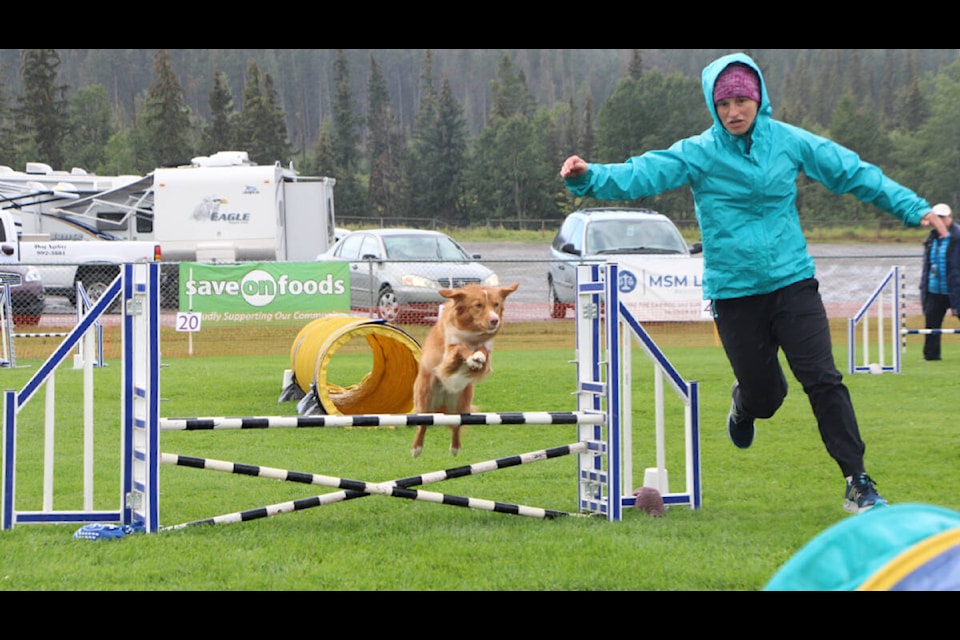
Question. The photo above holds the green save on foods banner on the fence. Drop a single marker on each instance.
(265, 286)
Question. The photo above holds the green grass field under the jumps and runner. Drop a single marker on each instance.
(760, 506)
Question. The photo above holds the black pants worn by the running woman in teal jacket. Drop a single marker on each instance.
(754, 329)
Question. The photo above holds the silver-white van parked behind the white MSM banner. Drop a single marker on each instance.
(603, 234)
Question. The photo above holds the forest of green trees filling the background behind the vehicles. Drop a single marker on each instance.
(464, 137)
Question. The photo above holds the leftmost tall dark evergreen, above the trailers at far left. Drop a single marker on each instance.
(42, 113)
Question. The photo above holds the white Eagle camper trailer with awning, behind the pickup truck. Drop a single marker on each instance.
(220, 208)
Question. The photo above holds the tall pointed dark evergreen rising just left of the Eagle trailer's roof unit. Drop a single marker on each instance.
(167, 118)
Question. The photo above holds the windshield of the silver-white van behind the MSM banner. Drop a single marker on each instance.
(633, 236)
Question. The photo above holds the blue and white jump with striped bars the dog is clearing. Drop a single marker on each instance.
(604, 446)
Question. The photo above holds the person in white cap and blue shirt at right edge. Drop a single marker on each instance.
(940, 280)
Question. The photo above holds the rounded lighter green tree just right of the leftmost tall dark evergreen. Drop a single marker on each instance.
(91, 123)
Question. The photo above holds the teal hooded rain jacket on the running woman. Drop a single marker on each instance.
(745, 192)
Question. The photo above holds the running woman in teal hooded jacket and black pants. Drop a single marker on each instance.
(757, 271)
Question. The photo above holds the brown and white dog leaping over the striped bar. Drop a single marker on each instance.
(456, 354)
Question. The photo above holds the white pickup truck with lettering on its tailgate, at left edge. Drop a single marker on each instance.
(63, 263)
